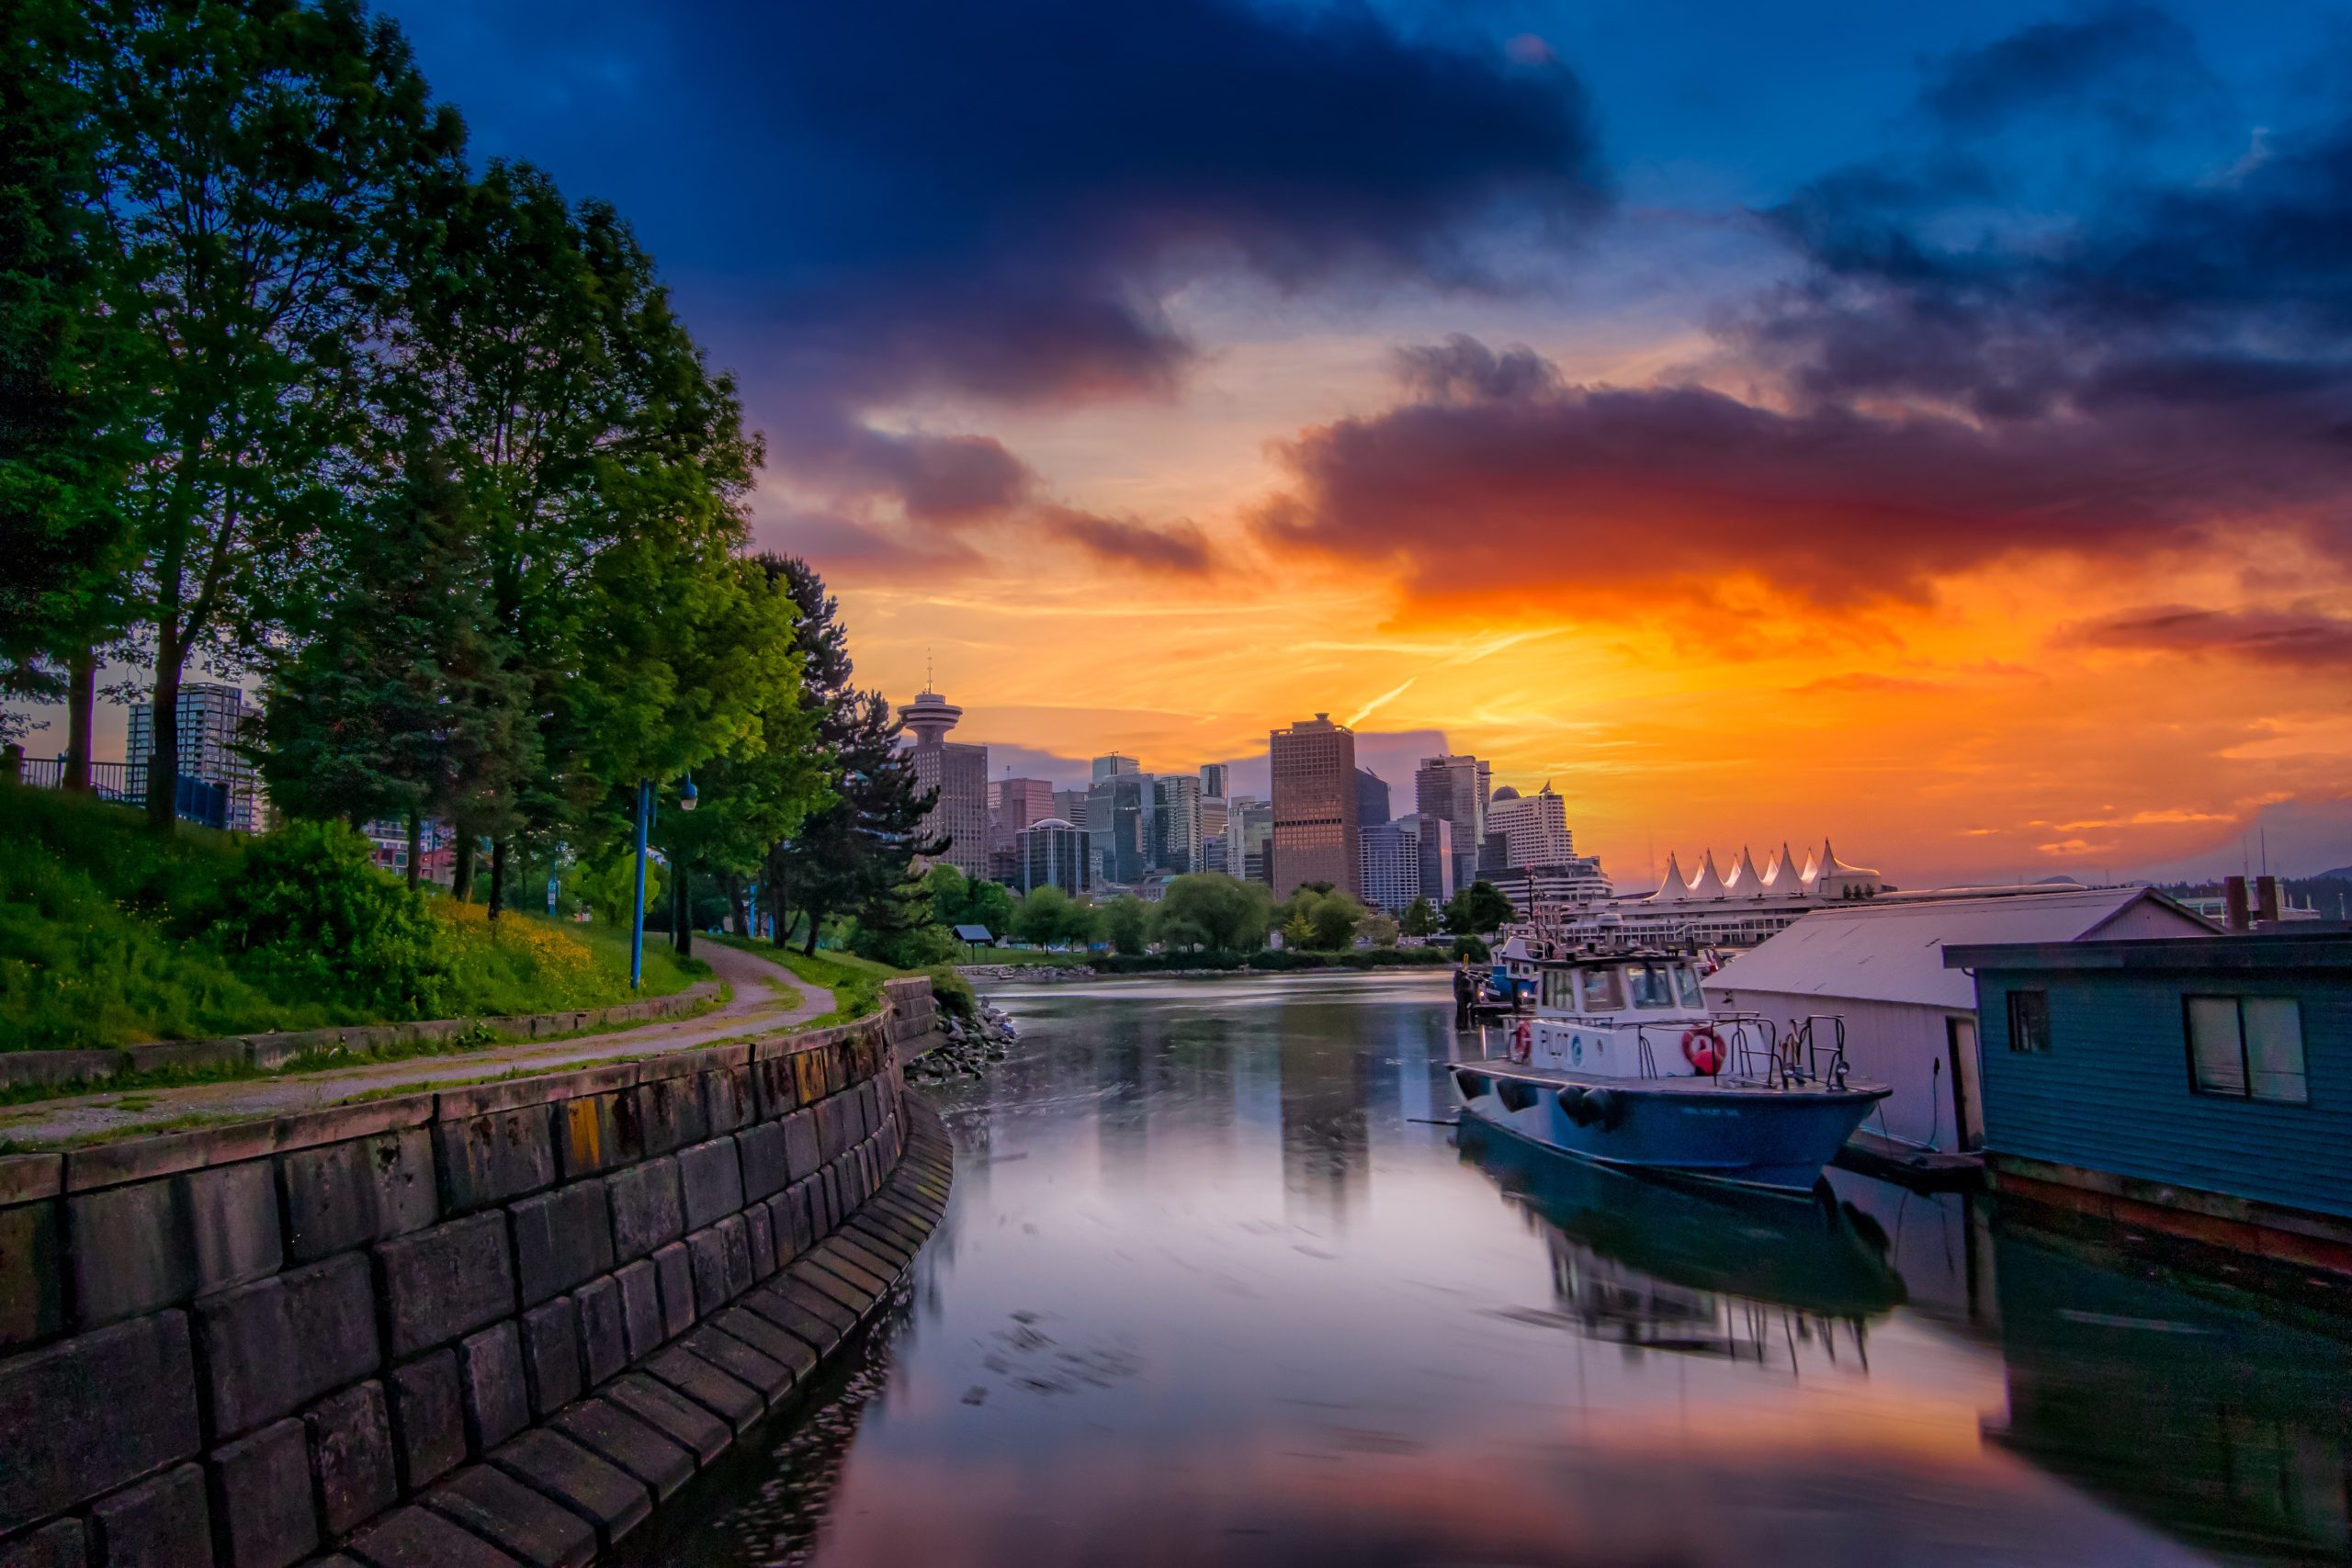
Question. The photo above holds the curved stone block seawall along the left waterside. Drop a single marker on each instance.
(488, 1325)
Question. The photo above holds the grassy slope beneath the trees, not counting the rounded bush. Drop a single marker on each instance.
(107, 939)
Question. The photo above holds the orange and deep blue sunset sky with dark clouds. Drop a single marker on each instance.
(1925, 427)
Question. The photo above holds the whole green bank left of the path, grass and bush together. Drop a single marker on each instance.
(116, 937)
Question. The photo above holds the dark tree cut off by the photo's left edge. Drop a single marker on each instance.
(69, 417)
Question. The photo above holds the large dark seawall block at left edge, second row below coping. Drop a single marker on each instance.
(91, 1414)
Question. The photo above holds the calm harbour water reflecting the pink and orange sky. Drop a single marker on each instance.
(1217, 1292)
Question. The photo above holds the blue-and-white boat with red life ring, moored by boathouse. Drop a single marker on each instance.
(1624, 1064)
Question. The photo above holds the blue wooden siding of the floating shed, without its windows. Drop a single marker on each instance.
(2113, 1092)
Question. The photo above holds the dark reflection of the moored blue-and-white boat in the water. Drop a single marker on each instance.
(1697, 1271)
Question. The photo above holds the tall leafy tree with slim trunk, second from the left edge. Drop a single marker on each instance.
(258, 168)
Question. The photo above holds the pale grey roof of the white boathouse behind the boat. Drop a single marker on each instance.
(1878, 951)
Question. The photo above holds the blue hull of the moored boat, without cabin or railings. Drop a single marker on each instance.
(1751, 1139)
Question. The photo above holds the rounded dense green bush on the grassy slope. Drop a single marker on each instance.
(309, 916)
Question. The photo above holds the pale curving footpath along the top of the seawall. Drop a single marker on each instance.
(766, 1000)
